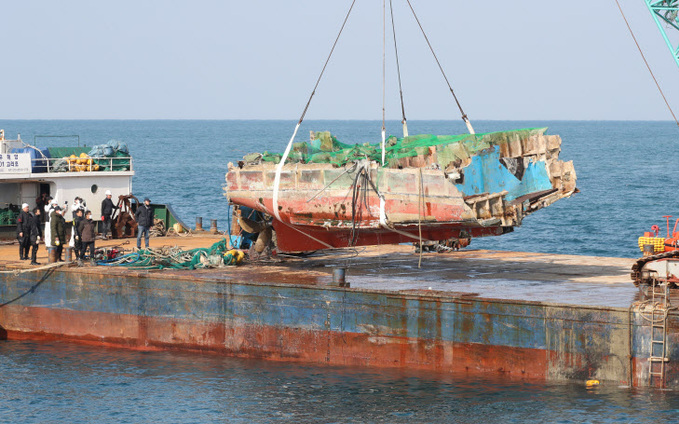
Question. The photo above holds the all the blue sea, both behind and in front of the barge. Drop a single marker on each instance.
(626, 180)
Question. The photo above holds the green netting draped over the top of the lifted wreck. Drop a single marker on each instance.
(325, 148)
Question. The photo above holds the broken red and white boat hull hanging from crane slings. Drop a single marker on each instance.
(472, 186)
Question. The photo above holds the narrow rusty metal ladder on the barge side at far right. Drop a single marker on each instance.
(658, 358)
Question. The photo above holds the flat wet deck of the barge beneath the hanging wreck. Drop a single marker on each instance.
(514, 276)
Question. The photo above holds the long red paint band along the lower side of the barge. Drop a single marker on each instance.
(273, 343)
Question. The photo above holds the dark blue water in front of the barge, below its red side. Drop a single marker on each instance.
(58, 382)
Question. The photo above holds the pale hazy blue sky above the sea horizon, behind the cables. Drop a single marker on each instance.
(259, 59)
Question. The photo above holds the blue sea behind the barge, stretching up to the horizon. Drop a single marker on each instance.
(624, 171)
